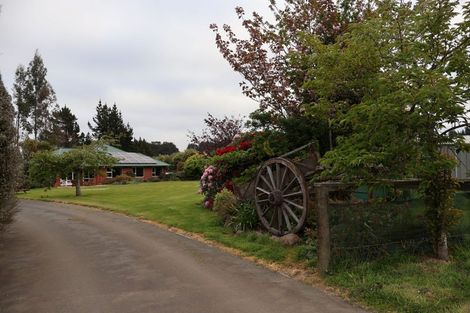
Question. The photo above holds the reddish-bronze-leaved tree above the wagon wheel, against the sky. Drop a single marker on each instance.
(271, 76)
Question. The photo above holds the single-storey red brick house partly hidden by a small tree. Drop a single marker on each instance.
(129, 163)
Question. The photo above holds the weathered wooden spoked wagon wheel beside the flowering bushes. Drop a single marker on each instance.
(281, 197)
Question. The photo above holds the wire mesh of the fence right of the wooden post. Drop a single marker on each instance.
(393, 221)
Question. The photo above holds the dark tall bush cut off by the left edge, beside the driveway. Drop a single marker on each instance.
(8, 157)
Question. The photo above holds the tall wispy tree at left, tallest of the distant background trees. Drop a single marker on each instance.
(34, 97)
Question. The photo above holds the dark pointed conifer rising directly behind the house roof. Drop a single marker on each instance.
(108, 124)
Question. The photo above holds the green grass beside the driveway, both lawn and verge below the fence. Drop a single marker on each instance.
(396, 283)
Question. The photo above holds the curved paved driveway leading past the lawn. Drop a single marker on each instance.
(64, 258)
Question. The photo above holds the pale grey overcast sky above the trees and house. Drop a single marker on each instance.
(156, 60)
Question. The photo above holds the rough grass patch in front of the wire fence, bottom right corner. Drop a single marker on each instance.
(405, 283)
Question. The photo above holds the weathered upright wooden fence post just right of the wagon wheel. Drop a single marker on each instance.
(323, 228)
